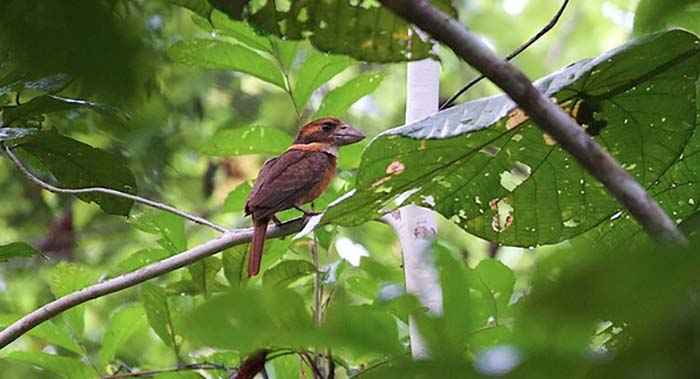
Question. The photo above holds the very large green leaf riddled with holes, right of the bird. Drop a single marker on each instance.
(487, 168)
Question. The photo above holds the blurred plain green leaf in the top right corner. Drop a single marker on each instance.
(655, 15)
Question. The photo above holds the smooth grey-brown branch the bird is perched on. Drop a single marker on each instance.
(228, 239)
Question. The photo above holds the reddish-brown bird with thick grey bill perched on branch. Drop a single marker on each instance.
(296, 177)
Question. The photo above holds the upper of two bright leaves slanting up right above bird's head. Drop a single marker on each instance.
(317, 69)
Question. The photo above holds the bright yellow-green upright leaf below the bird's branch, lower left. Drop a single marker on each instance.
(122, 324)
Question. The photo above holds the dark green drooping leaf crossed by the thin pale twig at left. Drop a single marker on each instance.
(77, 165)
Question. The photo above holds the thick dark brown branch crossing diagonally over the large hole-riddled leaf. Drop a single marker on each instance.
(547, 115)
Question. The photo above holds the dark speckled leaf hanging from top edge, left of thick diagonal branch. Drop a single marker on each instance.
(361, 29)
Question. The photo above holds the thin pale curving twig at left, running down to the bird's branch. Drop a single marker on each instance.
(108, 191)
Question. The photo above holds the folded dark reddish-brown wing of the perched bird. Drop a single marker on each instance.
(282, 182)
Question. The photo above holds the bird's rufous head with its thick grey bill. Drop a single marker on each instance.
(328, 130)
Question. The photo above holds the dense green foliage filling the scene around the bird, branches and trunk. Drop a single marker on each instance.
(182, 100)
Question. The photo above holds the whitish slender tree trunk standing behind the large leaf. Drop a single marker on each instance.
(416, 227)
